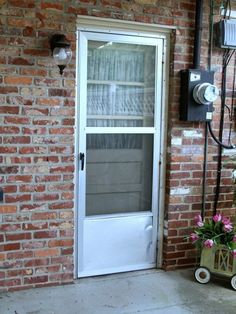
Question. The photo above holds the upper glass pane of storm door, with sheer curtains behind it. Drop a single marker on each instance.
(121, 85)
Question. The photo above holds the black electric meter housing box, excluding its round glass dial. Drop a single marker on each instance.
(190, 109)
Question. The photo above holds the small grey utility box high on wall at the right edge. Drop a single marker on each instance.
(225, 34)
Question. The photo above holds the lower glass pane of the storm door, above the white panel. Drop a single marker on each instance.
(119, 173)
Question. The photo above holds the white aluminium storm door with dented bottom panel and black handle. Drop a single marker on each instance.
(119, 97)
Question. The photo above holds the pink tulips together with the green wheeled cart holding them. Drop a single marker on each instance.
(216, 237)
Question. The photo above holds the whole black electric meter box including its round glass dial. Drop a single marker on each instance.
(197, 95)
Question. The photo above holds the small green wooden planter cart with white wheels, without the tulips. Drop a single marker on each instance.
(218, 260)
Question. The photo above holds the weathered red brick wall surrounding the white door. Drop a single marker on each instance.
(37, 108)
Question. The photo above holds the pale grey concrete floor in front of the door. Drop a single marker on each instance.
(150, 292)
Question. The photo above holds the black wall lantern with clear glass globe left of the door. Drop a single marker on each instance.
(61, 51)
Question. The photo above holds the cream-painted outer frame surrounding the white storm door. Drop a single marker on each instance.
(112, 26)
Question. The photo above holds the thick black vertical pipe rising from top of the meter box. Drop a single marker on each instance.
(198, 34)
